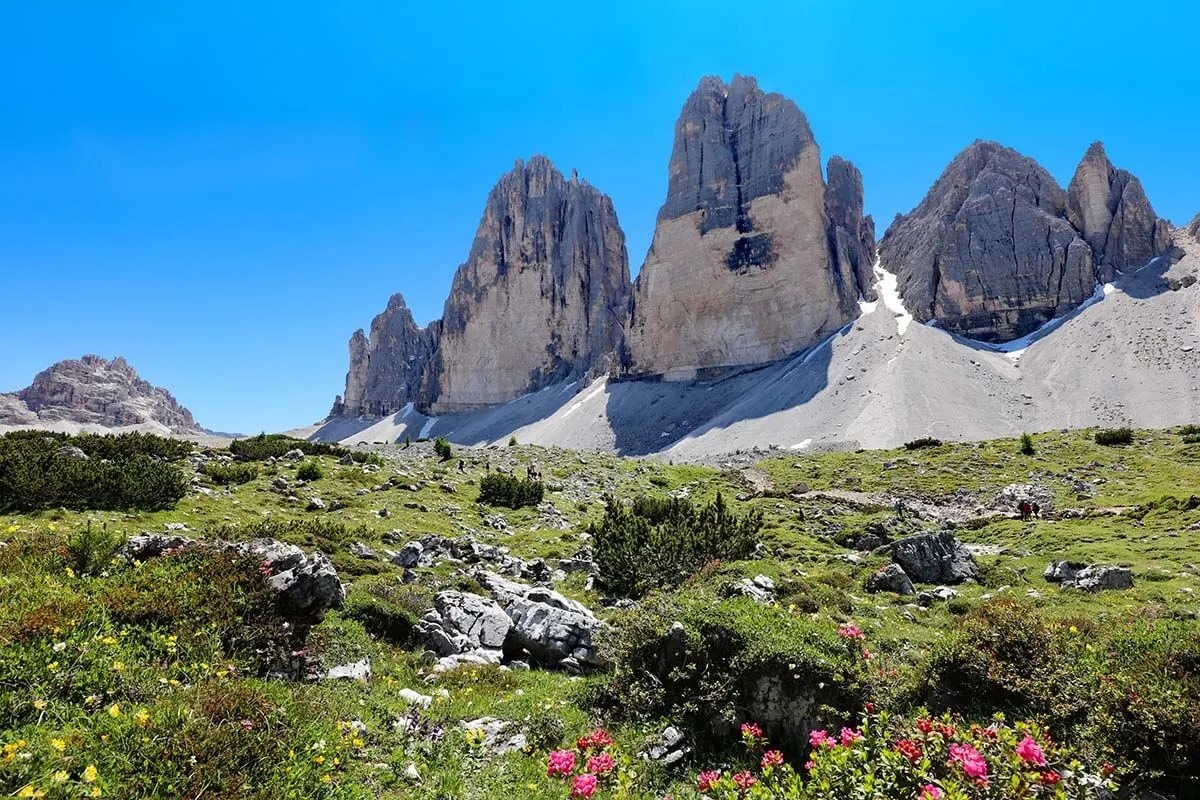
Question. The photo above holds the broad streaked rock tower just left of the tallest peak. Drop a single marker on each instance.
(542, 297)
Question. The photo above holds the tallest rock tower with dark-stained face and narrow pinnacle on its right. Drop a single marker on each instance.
(746, 267)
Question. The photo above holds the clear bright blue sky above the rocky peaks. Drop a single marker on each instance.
(224, 191)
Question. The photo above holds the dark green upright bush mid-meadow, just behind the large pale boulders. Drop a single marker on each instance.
(658, 543)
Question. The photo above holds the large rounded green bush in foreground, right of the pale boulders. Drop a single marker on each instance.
(711, 670)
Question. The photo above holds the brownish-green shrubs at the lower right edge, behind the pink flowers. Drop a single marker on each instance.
(1126, 694)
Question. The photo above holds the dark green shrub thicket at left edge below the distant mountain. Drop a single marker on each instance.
(122, 473)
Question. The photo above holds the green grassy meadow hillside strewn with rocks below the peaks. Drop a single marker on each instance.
(151, 679)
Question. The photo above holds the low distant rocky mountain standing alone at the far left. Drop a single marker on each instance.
(95, 392)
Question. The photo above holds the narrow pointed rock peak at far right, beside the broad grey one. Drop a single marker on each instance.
(1109, 208)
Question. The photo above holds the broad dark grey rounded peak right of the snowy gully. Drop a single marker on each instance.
(989, 254)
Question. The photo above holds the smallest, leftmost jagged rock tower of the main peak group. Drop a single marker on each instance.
(388, 369)
